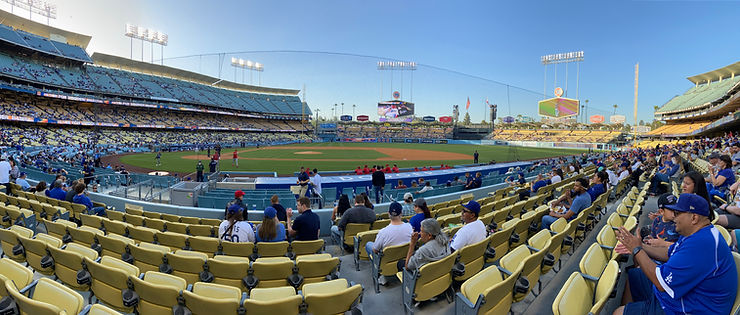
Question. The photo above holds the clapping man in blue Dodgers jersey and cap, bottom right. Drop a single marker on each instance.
(698, 276)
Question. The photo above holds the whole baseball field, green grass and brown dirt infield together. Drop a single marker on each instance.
(286, 159)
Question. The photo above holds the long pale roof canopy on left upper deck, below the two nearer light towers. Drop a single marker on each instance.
(116, 62)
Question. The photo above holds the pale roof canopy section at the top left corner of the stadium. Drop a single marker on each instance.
(44, 30)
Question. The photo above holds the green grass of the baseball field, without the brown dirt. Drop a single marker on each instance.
(174, 161)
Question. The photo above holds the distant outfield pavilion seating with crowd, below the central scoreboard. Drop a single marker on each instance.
(397, 131)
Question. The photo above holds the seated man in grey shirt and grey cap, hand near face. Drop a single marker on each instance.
(435, 246)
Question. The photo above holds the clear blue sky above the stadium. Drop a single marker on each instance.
(498, 41)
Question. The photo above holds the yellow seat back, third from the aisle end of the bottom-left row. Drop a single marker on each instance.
(211, 298)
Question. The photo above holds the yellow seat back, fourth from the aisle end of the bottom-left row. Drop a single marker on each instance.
(158, 292)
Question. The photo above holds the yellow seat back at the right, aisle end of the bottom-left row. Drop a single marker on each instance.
(331, 297)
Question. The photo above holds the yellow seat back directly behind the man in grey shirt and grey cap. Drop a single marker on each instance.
(434, 278)
